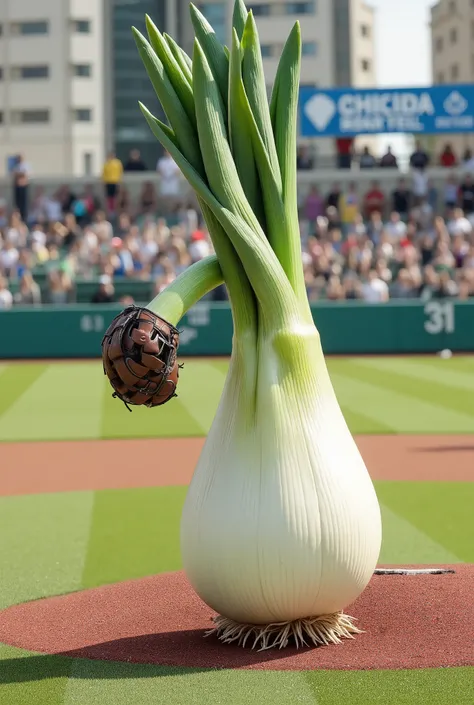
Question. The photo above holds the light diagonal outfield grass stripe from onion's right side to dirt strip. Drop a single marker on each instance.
(403, 413)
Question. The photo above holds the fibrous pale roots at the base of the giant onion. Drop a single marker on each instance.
(311, 631)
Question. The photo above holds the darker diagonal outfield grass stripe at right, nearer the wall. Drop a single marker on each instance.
(430, 390)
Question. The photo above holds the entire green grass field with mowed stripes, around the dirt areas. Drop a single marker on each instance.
(56, 543)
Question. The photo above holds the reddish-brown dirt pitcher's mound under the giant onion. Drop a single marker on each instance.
(414, 621)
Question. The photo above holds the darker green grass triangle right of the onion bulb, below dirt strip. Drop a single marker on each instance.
(441, 510)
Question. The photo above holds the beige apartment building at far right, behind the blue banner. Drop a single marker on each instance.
(452, 54)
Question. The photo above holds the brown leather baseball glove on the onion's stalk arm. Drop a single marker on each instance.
(139, 355)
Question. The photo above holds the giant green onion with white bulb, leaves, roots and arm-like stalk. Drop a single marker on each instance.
(281, 526)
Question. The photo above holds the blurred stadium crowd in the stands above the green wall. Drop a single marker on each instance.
(416, 242)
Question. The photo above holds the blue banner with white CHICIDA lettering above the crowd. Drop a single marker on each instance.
(345, 112)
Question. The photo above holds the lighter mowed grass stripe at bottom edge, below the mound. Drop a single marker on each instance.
(122, 684)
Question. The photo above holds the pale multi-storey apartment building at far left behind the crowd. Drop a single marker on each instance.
(52, 84)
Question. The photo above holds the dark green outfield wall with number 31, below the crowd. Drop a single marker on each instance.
(346, 328)
